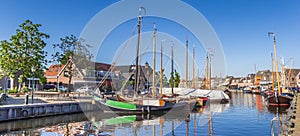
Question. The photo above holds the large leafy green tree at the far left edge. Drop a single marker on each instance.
(23, 52)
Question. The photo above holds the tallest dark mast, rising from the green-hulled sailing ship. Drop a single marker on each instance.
(136, 82)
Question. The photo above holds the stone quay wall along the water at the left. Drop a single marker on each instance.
(14, 110)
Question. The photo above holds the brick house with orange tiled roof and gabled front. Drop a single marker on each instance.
(58, 74)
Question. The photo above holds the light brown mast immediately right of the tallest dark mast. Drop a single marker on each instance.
(154, 62)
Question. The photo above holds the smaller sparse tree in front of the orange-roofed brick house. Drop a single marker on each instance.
(72, 51)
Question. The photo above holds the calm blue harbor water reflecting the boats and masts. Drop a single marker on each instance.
(244, 115)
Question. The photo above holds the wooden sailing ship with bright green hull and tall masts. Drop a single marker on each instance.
(119, 104)
